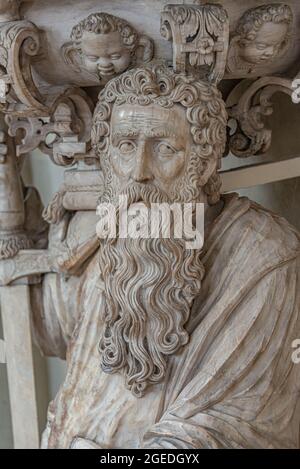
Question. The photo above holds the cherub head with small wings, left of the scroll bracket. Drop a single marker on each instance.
(104, 46)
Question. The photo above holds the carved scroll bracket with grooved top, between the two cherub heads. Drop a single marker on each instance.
(200, 36)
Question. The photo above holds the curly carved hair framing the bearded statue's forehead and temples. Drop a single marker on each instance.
(158, 84)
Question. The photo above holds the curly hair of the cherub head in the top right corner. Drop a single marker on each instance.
(252, 21)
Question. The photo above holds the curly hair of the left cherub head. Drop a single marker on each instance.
(103, 23)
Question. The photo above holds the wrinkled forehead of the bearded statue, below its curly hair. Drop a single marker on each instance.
(171, 121)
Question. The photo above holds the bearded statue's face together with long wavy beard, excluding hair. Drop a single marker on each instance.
(150, 284)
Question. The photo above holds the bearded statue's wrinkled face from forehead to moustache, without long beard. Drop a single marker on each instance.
(149, 145)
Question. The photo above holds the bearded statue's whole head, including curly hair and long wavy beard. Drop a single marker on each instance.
(159, 136)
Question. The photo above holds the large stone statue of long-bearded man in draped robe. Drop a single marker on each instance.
(169, 347)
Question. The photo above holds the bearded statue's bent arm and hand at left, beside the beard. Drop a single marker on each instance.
(57, 305)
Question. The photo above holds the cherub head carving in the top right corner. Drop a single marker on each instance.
(262, 36)
